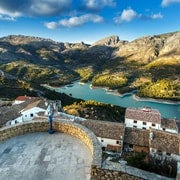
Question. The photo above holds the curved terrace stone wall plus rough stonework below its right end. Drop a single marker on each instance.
(85, 135)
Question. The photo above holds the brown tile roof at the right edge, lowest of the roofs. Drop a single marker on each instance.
(164, 141)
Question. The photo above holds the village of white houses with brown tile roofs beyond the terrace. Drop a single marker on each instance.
(143, 130)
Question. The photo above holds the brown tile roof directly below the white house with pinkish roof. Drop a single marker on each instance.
(137, 137)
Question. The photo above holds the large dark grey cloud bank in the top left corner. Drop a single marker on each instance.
(34, 8)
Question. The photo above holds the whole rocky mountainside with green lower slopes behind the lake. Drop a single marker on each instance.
(109, 62)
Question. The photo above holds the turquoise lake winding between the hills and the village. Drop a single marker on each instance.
(167, 110)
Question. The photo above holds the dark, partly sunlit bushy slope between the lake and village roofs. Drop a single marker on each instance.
(96, 110)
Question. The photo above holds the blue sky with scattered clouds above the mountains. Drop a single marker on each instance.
(88, 20)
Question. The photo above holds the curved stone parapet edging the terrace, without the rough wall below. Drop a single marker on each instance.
(71, 128)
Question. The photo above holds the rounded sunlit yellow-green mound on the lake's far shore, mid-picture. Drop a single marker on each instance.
(112, 81)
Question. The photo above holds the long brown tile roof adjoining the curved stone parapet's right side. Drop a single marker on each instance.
(105, 129)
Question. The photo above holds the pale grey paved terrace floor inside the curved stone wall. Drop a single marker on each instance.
(41, 156)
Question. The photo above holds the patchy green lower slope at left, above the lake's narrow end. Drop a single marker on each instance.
(37, 74)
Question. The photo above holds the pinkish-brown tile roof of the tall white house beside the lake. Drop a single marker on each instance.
(143, 114)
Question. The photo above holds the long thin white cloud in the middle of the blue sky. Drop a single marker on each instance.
(75, 21)
